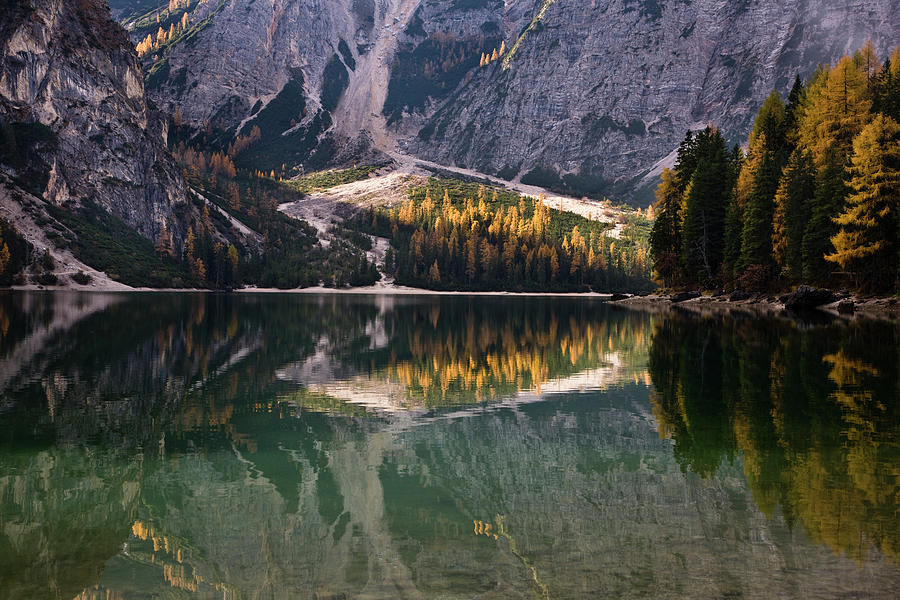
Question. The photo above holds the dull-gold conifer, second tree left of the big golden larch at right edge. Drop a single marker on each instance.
(795, 193)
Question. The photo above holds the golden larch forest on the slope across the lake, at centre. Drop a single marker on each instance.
(501, 242)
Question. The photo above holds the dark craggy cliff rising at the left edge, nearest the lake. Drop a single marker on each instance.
(75, 121)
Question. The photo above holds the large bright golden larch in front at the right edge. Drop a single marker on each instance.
(869, 224)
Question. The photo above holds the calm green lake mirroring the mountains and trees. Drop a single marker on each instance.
(289, 446)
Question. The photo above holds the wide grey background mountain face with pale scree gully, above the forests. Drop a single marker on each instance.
(589, 95)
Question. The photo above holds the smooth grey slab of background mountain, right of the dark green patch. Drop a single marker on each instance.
(600, 93)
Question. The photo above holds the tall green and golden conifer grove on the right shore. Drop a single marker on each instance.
(814, 199)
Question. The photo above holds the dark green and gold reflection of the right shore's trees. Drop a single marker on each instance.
(812, 413)
